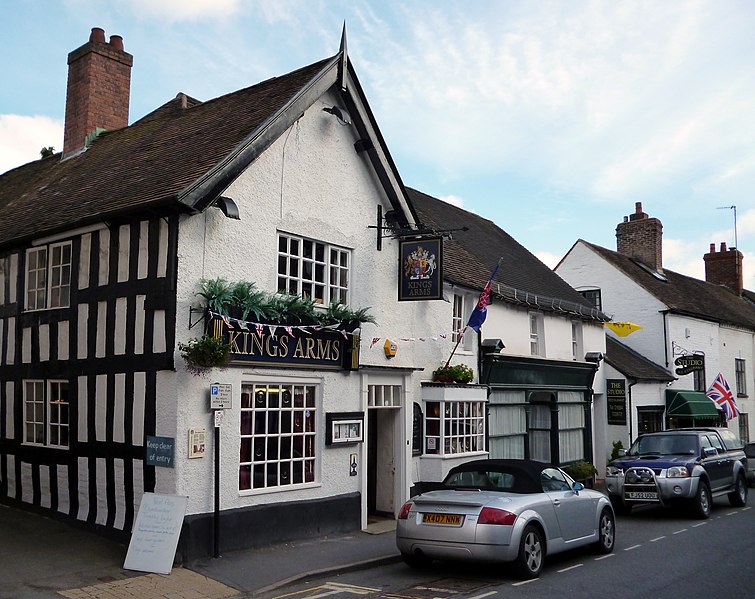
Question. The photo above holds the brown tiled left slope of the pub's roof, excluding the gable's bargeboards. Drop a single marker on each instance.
(143, 166)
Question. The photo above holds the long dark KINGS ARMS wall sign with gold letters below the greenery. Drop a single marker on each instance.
(286, 346)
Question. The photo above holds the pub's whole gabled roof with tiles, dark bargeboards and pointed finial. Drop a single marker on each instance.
(182, 155)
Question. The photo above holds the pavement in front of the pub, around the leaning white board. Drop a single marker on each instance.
(42, 558)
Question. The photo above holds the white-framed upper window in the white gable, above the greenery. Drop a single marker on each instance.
(313, 269)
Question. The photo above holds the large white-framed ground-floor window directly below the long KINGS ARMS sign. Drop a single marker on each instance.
(278, 436)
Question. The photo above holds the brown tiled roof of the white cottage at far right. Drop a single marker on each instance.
(685, 295)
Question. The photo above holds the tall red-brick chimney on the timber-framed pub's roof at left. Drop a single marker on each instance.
(99, 81)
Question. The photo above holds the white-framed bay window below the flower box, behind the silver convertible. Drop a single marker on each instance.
(454, 427)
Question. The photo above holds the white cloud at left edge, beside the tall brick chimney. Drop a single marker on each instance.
(22, 137)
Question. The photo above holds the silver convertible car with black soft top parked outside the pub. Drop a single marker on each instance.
(504, 511)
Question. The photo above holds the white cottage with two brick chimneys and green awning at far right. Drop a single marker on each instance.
(692, 329)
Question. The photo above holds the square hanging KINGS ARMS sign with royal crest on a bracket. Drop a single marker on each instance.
(421, 269)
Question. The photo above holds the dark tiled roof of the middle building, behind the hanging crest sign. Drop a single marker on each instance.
(471, 255)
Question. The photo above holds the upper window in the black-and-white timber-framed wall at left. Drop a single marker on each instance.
(48, 276)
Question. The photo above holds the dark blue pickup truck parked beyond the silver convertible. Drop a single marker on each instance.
(690, 466)
